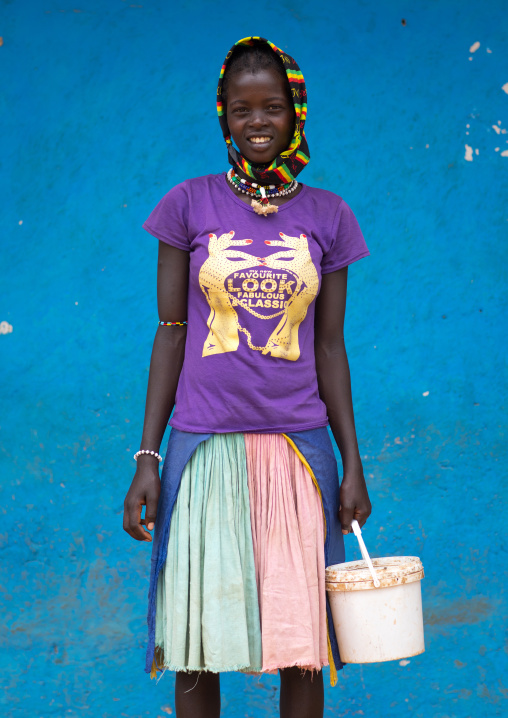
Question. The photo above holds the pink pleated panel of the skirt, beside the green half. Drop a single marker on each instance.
(288, 537)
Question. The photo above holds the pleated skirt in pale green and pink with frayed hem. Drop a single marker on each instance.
(243, 584)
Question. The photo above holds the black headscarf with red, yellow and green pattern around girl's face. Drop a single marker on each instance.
(288, 164)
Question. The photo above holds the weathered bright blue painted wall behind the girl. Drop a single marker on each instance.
(106, 105)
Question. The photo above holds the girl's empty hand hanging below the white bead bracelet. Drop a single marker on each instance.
(144, 491)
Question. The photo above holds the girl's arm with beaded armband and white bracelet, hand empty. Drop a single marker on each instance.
(165, 367)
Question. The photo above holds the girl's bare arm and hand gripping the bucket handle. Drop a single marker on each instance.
(334, 384)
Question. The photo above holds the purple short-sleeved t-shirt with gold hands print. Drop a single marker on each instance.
(249, 355)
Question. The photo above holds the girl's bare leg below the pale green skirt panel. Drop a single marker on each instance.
(197, 695)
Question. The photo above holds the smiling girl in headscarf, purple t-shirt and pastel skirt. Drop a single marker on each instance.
(249, 510)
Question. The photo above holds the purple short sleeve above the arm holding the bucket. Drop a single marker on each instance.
(347, 242)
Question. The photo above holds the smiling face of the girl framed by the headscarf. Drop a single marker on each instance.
(260, 114)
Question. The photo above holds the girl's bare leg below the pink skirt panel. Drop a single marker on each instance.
(301, 696)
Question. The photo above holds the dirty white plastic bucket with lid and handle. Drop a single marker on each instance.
(377, 623)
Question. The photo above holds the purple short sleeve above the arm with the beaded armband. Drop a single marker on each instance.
(169, 220)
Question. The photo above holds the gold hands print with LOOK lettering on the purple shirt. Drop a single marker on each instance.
(286, 281)
